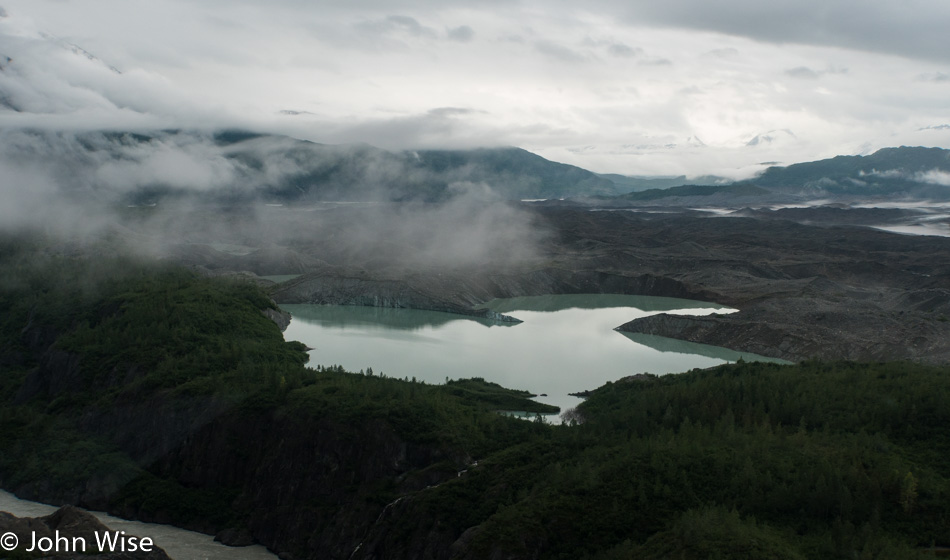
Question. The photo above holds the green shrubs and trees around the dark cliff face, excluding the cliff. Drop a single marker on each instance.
(815, 460)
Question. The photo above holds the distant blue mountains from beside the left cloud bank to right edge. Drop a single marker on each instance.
(362, 172)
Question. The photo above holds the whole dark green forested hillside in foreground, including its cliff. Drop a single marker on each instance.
(154, 392)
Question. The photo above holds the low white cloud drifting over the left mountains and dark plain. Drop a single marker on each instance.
(78, 184)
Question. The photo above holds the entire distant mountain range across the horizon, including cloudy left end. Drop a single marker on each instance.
(143, 168)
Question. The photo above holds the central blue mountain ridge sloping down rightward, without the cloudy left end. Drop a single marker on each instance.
(364, 173)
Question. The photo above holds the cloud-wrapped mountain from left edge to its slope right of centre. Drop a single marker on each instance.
(142, 168)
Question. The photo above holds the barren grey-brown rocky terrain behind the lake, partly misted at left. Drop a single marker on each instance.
(805, 286)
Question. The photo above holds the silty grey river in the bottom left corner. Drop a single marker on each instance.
(179, 544)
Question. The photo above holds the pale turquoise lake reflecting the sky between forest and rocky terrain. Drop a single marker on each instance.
(565, 344)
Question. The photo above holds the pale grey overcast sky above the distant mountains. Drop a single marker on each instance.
(636, 86)
